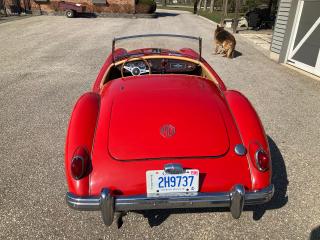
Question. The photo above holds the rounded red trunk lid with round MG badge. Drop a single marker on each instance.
(180, 121)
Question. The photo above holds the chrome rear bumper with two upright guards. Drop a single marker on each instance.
(108, 204)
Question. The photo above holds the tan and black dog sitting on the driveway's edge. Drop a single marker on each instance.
(225, 41)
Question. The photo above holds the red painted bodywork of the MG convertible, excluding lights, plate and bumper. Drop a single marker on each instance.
(142, 105)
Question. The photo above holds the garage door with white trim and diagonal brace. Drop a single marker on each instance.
(304, 51)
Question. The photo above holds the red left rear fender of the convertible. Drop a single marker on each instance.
(81, 133)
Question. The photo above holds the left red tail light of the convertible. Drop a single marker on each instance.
(80, 164)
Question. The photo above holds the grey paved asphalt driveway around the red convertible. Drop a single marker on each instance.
(47, 62)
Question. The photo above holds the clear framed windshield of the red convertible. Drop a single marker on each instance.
(156, 44)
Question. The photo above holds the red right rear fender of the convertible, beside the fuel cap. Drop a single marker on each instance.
(252, 134)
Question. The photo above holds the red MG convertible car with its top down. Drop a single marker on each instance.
(160, 130)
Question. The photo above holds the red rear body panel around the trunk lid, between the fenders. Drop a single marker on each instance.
(128, 177)
